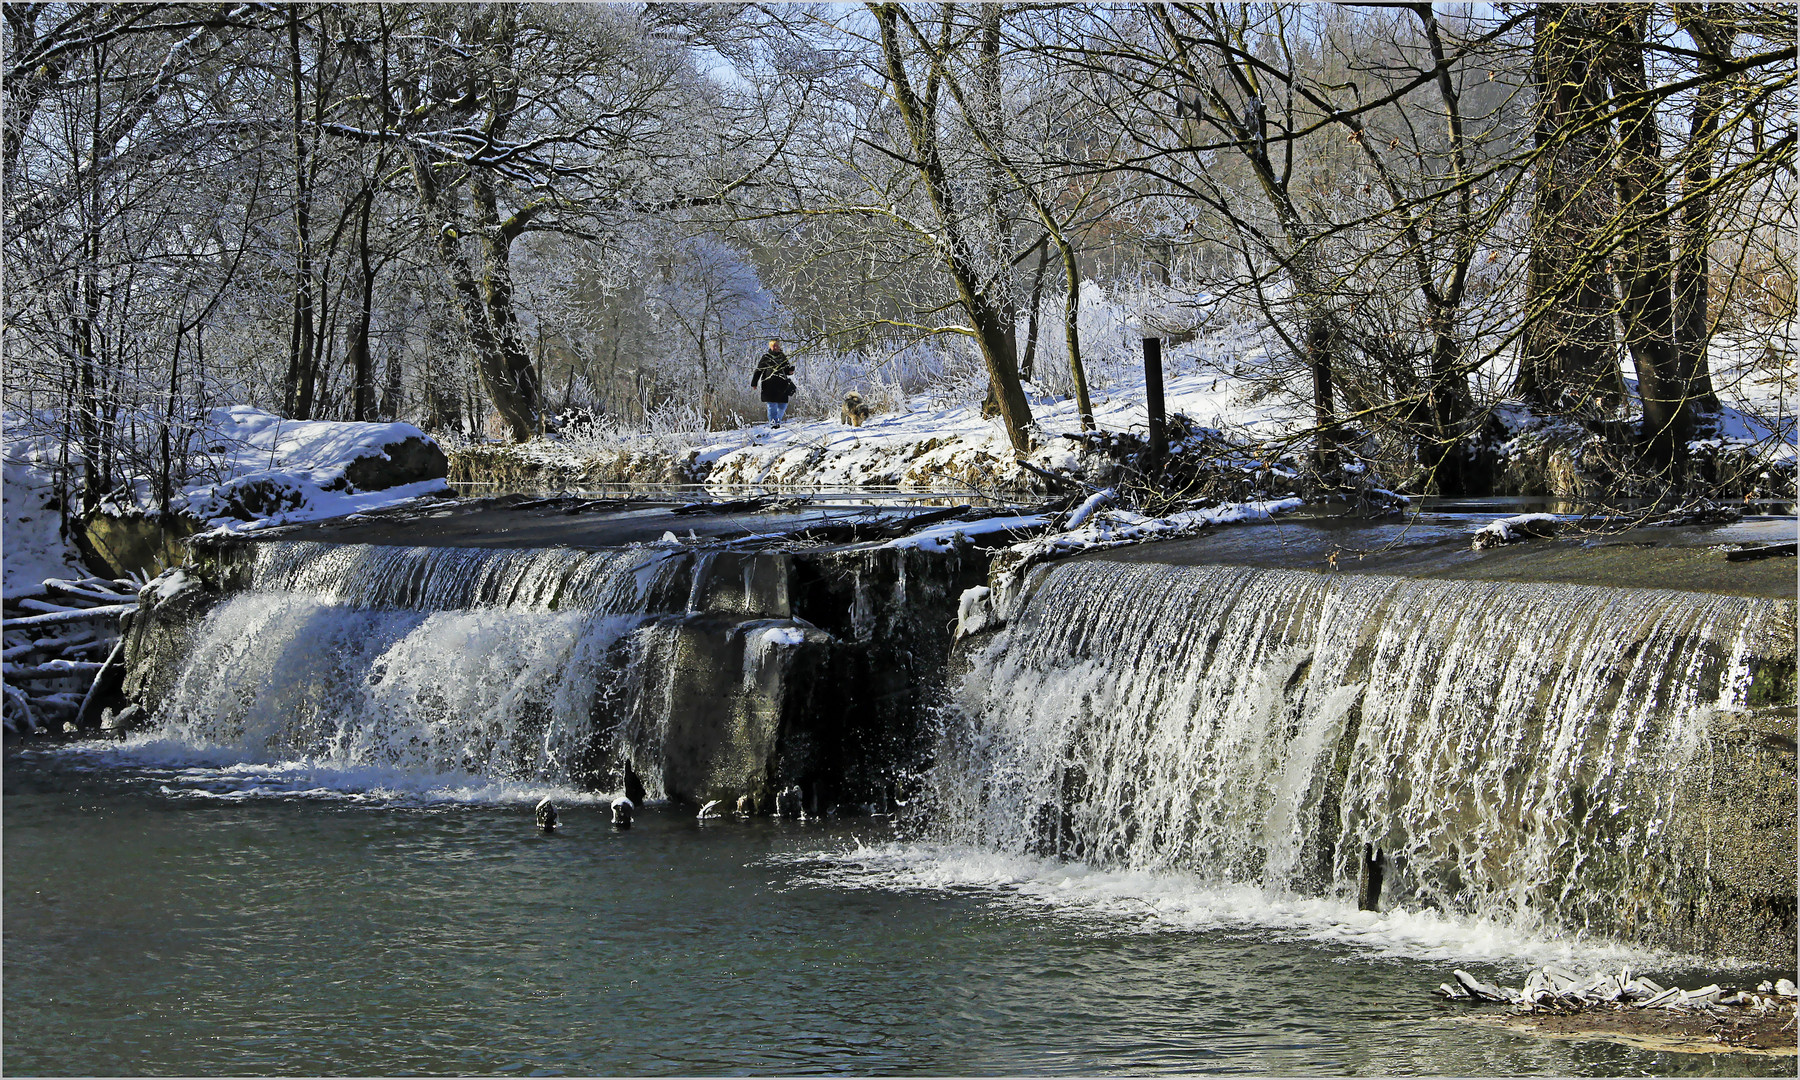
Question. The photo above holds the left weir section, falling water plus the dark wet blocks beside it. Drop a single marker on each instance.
(660, 670)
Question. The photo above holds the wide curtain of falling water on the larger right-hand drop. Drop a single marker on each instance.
(1502, 750)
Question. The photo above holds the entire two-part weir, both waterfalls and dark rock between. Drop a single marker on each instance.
(1556, 757)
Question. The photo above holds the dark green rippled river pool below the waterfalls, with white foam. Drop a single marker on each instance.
(166, 919)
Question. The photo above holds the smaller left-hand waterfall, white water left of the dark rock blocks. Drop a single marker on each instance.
(427, 663)
